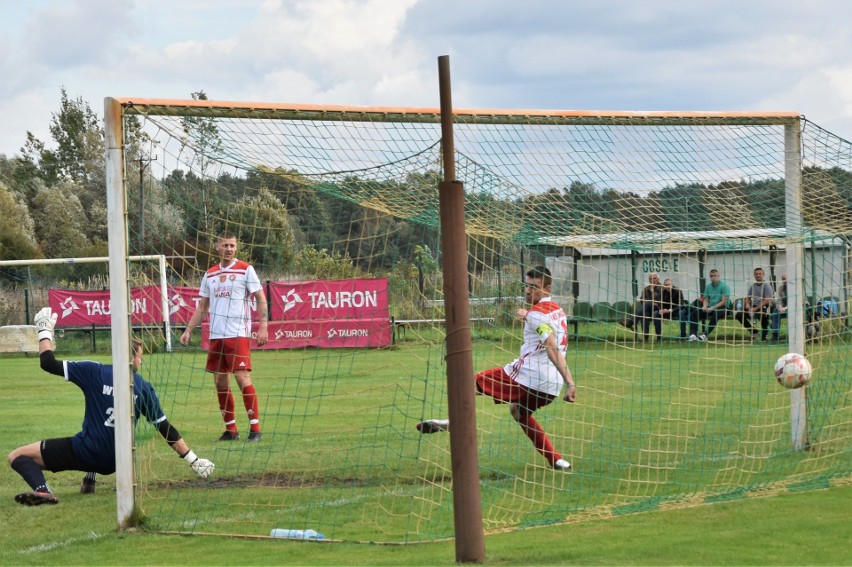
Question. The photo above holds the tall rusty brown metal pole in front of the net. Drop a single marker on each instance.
(467, 505)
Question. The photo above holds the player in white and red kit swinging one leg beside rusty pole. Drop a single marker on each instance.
(534, 379)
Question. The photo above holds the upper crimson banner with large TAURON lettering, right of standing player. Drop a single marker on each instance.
(329, 299)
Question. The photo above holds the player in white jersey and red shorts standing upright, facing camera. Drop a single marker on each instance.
(227, 290)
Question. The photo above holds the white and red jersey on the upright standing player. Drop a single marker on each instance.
(230, 291)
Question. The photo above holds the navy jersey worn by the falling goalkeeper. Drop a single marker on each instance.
(95, 444)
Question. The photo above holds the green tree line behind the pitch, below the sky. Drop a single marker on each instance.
(55, 192)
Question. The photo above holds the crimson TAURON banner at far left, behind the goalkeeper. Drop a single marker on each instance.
(93, 307)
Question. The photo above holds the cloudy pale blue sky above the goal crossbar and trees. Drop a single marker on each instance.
(697, 55)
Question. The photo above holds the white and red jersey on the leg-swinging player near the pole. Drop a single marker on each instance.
(533, 369)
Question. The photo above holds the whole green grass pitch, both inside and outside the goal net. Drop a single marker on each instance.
(655, 425)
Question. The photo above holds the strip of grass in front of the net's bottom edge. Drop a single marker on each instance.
(809, 528)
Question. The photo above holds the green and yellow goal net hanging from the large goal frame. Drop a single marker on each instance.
(324, 196)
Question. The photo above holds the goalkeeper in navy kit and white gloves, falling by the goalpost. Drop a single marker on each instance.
(93, 449)
